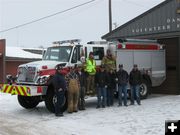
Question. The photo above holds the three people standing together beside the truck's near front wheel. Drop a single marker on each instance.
(73, 83)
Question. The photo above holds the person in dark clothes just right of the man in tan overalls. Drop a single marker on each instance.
(82, 80)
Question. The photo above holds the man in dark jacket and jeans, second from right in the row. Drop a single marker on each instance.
(122, 84)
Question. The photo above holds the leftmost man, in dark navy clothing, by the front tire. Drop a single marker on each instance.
(59, 87)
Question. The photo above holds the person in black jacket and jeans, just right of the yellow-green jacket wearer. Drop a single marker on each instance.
(101, 81)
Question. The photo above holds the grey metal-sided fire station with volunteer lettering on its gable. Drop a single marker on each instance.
(162, 23)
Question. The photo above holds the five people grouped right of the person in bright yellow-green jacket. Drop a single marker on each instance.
(108, 79)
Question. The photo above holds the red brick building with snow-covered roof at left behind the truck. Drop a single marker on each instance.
(12, 57)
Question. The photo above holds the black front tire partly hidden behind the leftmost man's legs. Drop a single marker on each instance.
(49, 101)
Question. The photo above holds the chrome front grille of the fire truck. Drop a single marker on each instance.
(26, 74)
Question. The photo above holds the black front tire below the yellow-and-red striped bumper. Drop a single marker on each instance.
(28, 102)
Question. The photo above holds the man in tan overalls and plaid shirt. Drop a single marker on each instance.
(73, 87)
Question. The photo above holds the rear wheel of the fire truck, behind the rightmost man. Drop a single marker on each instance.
(144, 89)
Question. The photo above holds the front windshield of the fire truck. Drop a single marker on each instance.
(60, 53)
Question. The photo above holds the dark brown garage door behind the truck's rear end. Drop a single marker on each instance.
(170, 86)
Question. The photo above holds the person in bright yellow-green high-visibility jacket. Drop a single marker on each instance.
(91, 71)
